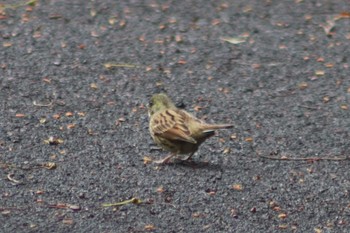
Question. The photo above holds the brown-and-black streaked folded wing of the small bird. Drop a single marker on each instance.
(171, 124)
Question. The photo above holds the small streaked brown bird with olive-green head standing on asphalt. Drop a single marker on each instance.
(176, 130)
